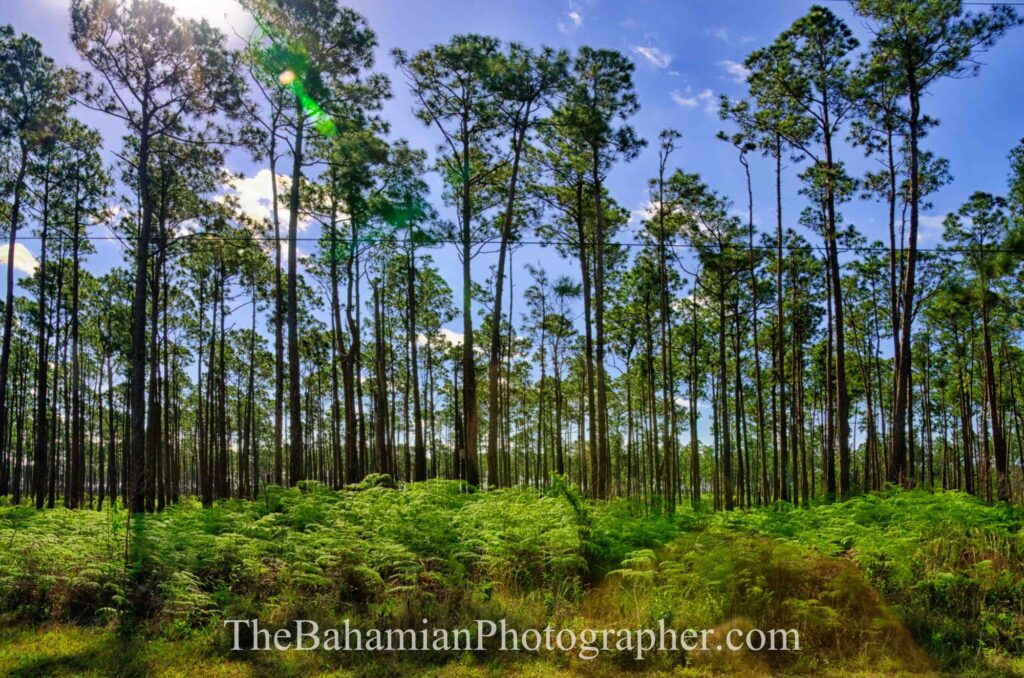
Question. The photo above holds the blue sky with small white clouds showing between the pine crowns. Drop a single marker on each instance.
(687, 54)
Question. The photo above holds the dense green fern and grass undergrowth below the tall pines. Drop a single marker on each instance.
(894, 582)
